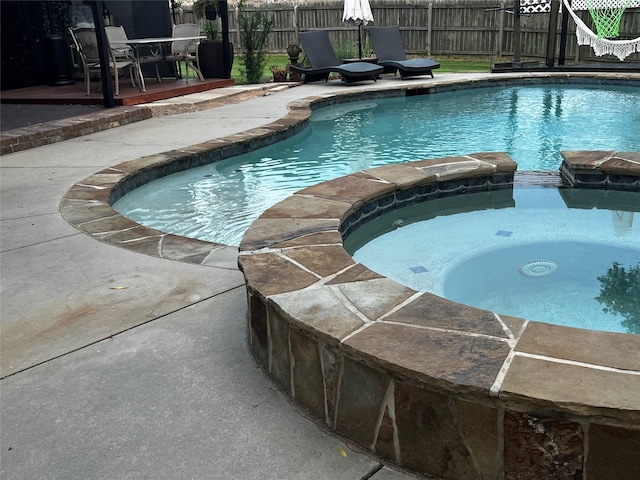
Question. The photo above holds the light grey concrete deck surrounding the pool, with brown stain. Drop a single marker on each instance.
(117, 364)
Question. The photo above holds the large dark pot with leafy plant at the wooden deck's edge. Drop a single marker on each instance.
(210, 50)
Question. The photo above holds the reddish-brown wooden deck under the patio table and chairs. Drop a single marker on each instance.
(76, 95)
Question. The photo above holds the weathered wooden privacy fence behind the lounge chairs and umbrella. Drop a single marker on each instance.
(432, 28)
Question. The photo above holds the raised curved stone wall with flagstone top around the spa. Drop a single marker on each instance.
(437, 387)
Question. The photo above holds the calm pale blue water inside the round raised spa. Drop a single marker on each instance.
(532, 255)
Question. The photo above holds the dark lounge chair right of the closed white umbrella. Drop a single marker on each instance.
(391, 55)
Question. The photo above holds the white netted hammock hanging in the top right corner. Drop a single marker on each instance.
(609, 13)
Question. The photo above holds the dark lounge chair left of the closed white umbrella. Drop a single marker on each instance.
(323, 60)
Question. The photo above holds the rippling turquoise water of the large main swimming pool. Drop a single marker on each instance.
(218, 202)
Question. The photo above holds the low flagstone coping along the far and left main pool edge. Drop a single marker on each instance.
(87, 204)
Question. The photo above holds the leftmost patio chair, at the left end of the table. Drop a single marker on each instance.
(86, 45)
